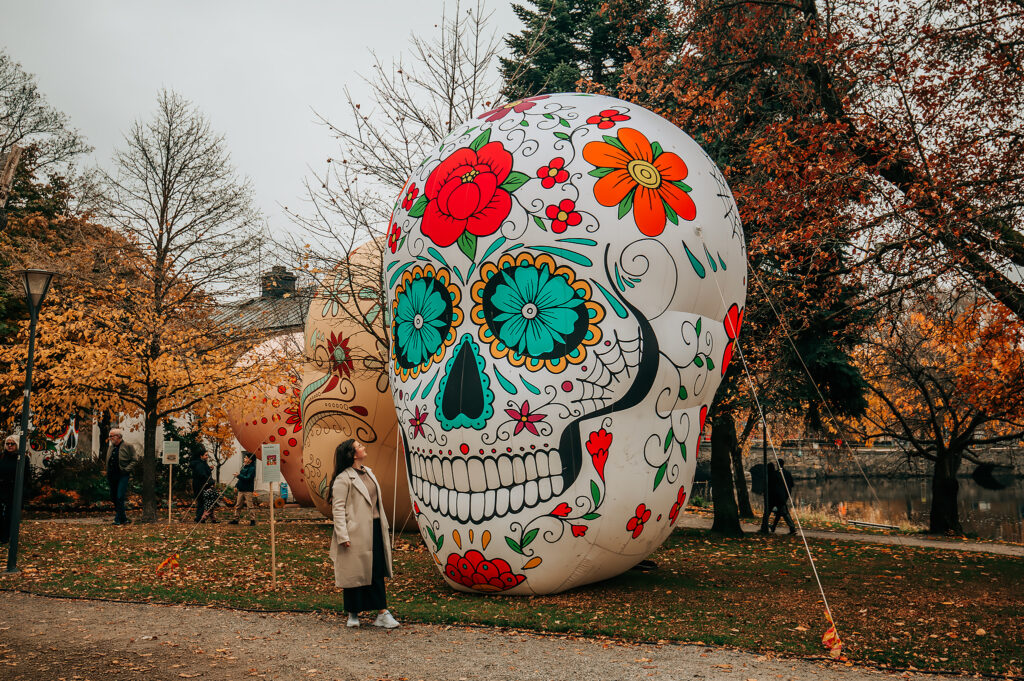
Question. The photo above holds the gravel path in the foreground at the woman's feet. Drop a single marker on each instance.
(49, 640)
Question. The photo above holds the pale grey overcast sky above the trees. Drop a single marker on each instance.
(259, 69)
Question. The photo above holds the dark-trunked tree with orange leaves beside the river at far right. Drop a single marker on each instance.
(947, 377)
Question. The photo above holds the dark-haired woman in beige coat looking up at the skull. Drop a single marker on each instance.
(360, 548)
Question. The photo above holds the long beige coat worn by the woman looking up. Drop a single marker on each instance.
(354, 522)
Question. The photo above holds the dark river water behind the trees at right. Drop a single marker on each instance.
(988, 514)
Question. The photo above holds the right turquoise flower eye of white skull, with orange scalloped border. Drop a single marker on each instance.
(535, 314)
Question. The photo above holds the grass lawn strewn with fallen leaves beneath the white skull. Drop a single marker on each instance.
(895, 607)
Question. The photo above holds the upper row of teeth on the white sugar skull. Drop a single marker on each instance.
(483, 474)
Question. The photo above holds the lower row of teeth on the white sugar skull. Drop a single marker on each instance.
(484, 505)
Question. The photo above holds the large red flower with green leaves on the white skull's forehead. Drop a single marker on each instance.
(465, 194)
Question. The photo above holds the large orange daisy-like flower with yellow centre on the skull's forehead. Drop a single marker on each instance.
(641, 177)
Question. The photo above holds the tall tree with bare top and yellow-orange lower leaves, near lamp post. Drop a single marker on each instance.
(191, 235)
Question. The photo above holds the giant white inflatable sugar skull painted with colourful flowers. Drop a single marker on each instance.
(567, 277)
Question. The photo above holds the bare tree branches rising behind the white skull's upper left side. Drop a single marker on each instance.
(413, 109)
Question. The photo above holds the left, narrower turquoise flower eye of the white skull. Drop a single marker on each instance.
(424, 315)
